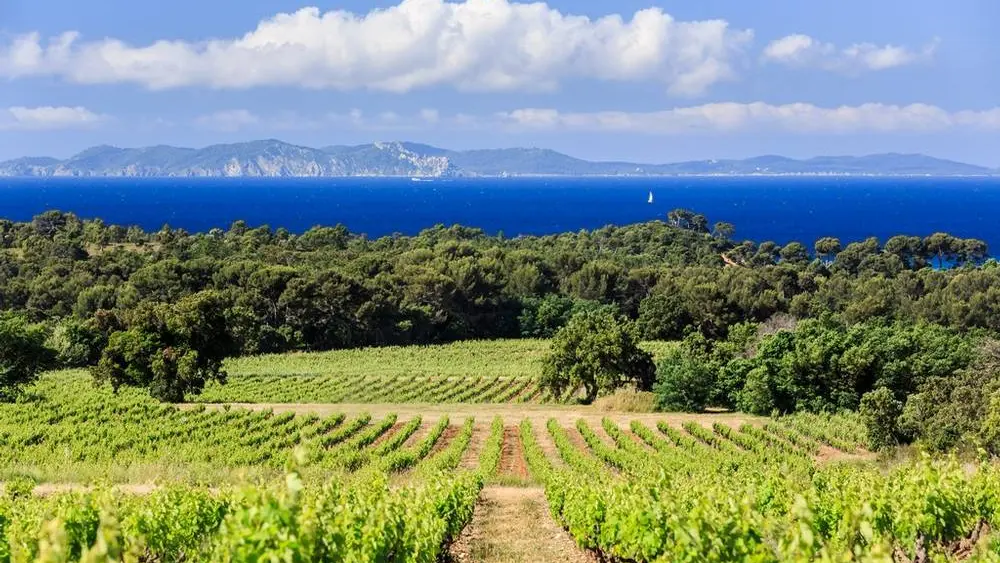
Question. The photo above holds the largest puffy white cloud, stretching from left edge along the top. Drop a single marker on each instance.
(475, 45)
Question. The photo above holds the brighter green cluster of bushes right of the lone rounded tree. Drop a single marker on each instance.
(910, 382)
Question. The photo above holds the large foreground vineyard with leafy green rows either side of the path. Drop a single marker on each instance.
(235, 485)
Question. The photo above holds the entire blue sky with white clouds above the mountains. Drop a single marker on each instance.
(645, 81)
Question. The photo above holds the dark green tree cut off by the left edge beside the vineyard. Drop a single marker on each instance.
(22, 355)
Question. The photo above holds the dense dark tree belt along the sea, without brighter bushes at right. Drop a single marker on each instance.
(109, 294)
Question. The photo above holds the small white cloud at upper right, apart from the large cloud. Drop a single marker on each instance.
(803, 51)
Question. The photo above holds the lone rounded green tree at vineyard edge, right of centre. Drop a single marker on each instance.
(598, 352)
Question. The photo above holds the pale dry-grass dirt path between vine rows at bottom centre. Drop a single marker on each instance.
(513, 525)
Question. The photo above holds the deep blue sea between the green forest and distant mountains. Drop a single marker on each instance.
(781, 209)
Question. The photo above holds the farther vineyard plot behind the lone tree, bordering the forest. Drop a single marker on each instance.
(498, 371)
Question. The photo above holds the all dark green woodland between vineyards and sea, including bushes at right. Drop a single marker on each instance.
(163, 310)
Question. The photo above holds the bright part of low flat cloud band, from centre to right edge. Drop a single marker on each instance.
(759, 116)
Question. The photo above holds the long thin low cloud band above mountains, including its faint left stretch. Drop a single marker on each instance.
(717, 118)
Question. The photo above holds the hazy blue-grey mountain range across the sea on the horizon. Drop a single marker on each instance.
(271, 158)
